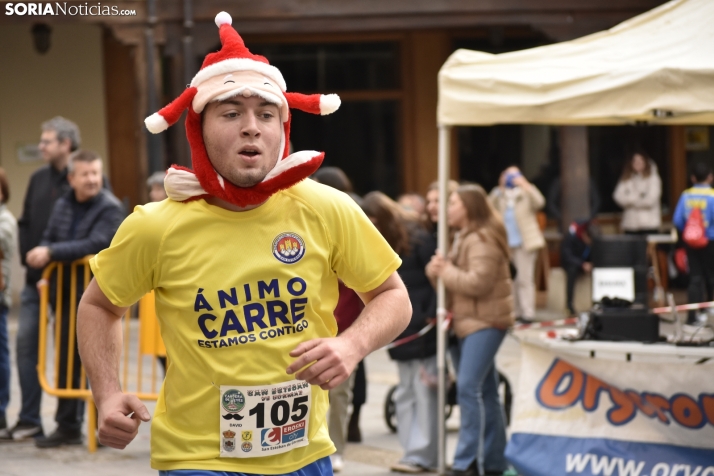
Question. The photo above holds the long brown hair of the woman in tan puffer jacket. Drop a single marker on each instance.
(483, 218)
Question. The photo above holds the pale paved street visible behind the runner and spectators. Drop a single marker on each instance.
(380, 447)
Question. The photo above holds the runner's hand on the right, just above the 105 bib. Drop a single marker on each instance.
(325, 362)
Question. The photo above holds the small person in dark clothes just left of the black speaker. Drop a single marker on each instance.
(575, 255)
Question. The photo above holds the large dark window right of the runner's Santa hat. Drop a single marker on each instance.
(362, 138)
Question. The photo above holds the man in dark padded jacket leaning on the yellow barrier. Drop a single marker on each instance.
(82, 222)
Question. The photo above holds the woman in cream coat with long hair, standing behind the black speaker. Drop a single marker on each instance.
(639, 193)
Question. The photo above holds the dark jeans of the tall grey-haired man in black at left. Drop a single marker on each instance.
(26, 349)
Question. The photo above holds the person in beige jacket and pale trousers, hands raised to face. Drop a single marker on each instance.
(518, 202)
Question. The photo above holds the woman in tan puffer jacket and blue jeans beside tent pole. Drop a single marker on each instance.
(477, 278)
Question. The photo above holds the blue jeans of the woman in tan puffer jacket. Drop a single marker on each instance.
(482, 436)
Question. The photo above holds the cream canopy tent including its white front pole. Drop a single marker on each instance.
(657, 68)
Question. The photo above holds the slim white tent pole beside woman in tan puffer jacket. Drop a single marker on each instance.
(443, 237)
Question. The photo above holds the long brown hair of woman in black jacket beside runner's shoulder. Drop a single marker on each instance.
(390, 220)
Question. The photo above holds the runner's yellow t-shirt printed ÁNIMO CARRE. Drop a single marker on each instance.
(235, 293)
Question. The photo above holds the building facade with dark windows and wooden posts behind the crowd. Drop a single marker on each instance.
(109, 72)
